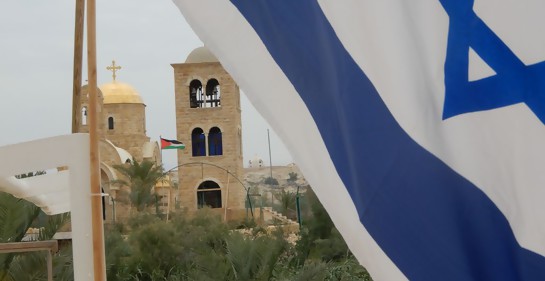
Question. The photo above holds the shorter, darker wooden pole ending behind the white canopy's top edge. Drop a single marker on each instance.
(78, 54)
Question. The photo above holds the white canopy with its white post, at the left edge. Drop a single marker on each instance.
(68, 190)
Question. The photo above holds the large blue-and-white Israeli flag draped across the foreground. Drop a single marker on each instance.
(419, 124)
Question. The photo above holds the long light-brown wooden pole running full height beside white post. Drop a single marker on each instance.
(99, 263)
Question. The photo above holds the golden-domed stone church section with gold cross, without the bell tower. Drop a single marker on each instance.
(122, 129)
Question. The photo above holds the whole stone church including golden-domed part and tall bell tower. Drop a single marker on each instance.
(208, 122)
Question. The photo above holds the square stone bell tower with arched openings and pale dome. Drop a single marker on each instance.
(208, 122)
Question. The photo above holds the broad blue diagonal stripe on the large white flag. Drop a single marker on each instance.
(431, 221)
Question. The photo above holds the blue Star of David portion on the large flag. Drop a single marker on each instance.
(514, 81)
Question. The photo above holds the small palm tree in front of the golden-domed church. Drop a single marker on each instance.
(141, 177)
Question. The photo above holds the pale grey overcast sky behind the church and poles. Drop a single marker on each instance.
(143, 36)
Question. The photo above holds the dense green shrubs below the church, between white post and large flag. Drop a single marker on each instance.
(204, 248)
